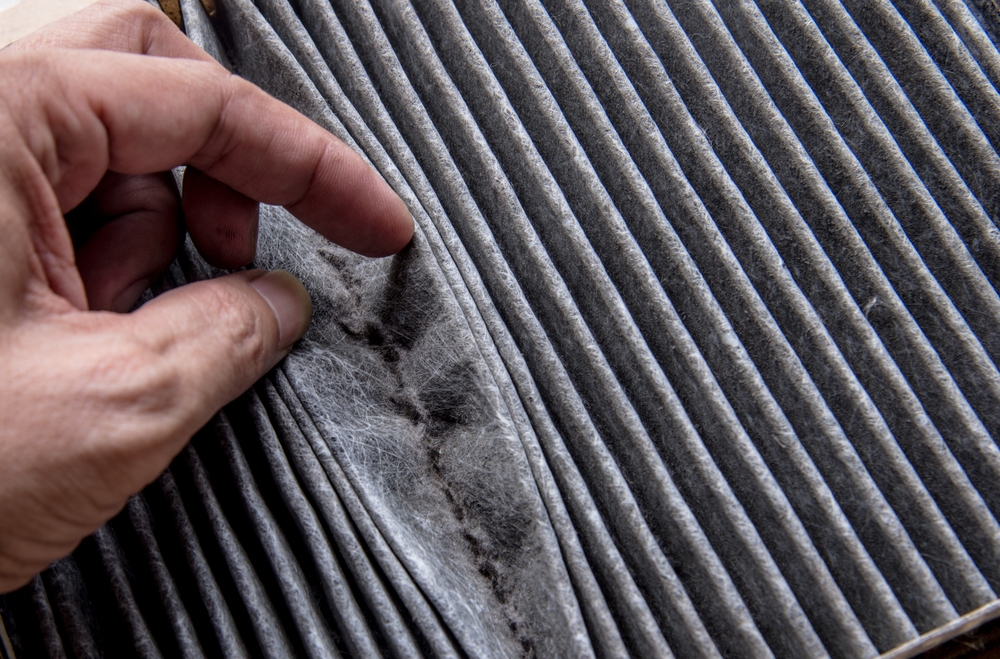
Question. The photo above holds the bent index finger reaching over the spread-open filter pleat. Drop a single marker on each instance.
(147, 114)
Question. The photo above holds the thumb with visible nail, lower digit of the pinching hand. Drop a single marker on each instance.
(213, 339)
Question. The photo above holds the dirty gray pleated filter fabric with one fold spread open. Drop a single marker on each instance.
(694, 352)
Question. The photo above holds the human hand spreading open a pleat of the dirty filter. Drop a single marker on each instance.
(94, 404)
